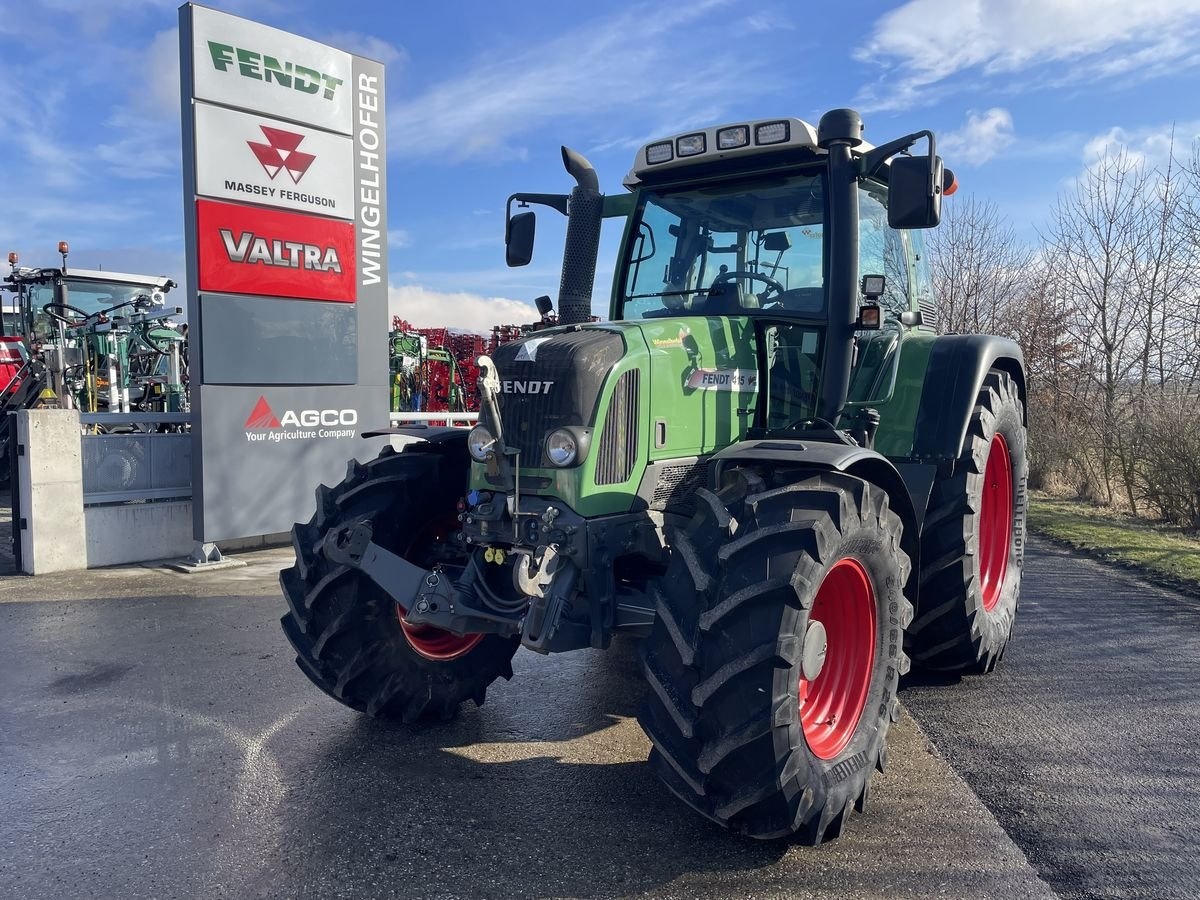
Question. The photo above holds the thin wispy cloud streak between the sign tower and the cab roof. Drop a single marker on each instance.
(589, 75)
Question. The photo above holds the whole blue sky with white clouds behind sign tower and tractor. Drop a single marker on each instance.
(1023, 95)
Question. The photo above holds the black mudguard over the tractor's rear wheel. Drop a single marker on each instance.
(958, 365)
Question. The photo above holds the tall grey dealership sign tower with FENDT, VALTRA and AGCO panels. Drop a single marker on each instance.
(285, 199)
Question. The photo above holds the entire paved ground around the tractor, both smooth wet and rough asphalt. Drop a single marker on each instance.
(157, 740)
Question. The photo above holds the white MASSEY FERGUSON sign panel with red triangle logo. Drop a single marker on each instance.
(250, 159)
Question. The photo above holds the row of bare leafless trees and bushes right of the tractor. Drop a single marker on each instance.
(1108, 314)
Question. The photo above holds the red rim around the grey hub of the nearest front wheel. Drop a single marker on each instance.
(833, 703)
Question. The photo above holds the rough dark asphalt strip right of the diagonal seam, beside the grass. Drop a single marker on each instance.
(1087, 742)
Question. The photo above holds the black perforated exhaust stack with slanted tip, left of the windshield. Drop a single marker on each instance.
(584, 214)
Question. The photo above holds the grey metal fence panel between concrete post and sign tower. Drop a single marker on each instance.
(137, 465)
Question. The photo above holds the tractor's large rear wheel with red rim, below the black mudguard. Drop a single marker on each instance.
(974, 542)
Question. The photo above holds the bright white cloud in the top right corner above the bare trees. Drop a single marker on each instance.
(928, 41)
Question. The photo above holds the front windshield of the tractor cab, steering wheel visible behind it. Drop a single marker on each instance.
(734, 249)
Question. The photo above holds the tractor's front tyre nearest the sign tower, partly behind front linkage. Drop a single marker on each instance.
(350, 637)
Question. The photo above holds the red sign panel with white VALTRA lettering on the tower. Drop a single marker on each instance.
(247, 250)
